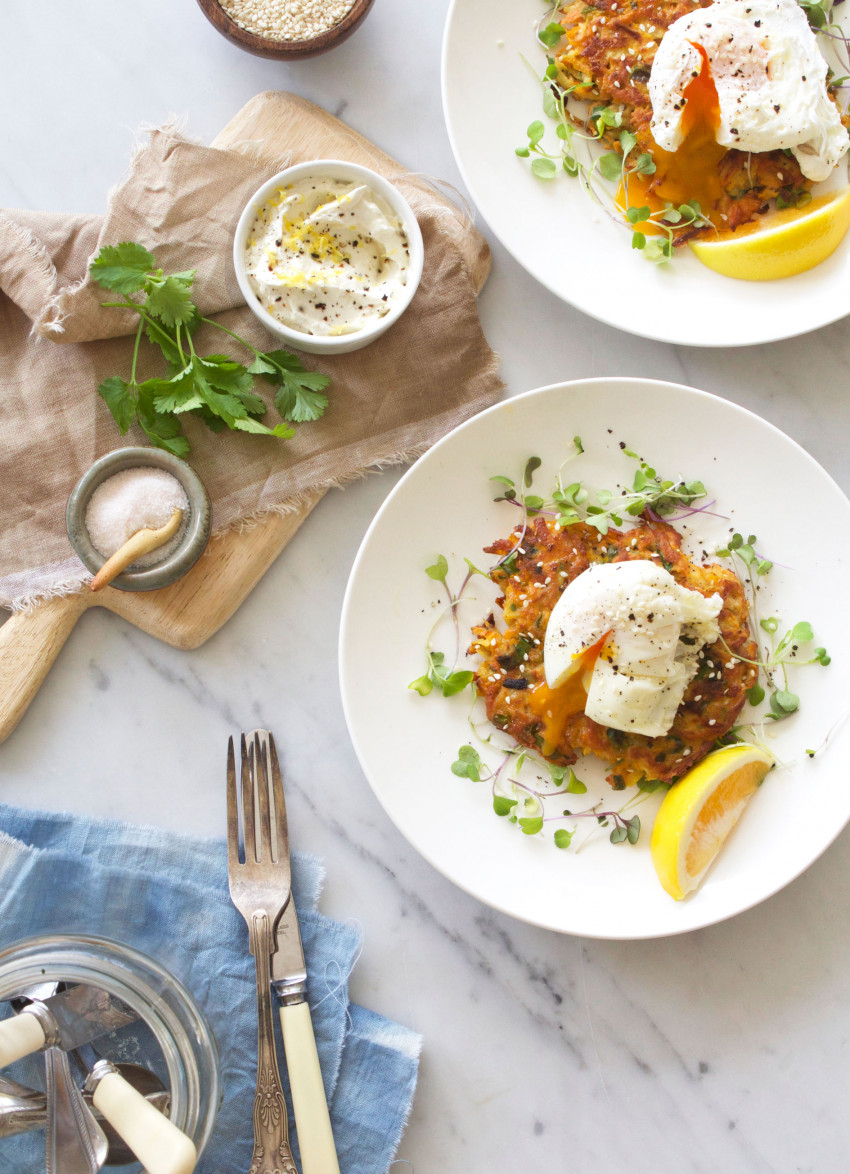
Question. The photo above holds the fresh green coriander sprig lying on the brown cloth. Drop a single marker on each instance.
(215, 388)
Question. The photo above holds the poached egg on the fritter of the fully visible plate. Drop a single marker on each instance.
(626, 639)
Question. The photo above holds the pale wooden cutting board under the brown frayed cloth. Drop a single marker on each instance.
(191, 611)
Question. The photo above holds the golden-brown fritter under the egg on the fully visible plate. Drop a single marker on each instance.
(511, 676)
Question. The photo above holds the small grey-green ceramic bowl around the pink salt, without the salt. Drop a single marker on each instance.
(195, 531)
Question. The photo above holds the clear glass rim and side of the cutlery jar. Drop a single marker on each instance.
(187, 1048)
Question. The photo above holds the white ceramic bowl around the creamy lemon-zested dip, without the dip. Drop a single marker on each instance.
(332, 170)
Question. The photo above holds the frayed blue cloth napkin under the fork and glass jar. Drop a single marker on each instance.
(167, 896)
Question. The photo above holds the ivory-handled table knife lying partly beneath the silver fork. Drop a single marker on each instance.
(319, 1155)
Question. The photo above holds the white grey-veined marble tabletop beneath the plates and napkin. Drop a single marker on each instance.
(725, 1050)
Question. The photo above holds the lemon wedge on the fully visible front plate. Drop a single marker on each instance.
(699, 813)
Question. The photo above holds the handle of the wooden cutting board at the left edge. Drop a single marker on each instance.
(30, 643)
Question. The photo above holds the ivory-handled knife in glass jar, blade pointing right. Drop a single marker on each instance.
(80, 1015)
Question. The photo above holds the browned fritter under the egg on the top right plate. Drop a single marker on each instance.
(606, 59)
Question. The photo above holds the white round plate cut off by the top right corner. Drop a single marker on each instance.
(554, 228)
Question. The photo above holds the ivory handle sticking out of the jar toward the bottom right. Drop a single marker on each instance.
(158, 1144)
